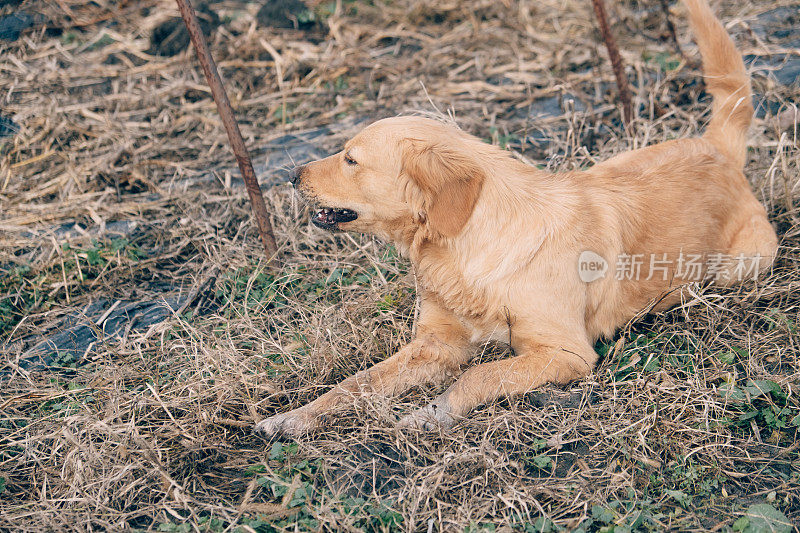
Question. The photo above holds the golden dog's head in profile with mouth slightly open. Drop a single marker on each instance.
(396, 174)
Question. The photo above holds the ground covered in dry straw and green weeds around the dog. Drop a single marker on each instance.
(142, 332)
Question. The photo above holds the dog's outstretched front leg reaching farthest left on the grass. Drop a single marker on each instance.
(440, 348)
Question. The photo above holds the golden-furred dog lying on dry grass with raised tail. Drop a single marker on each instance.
(503, 251)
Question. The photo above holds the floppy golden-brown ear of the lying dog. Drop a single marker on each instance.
(450, 180)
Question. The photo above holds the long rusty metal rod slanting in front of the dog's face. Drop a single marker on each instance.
(231, 127)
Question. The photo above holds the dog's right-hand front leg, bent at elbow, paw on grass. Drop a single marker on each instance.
(535, 365)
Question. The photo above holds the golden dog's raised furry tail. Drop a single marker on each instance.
(726, 80)
